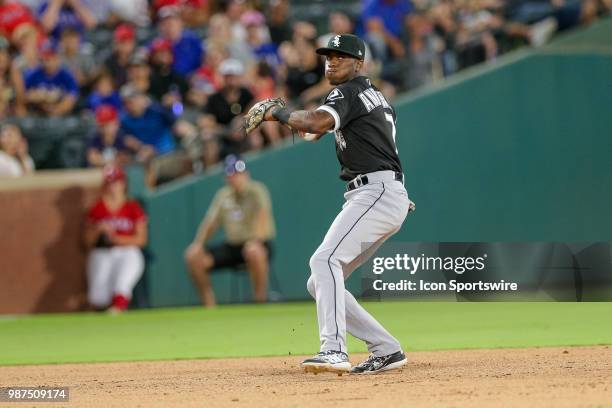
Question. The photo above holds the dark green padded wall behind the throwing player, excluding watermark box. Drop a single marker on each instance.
(515, 152)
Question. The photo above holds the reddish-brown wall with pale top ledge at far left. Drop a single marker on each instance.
(42, 260)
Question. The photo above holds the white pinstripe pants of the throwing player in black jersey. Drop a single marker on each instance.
(370, 215)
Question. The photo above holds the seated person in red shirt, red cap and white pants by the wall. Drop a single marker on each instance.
(116, 231)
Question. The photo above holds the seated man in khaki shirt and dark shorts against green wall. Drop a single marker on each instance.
(244, 210)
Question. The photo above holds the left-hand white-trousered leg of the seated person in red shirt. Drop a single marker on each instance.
(99, 289)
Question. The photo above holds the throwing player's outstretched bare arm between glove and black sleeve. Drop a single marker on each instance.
(316, 122)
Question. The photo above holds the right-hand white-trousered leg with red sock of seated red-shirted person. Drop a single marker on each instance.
(128, 267)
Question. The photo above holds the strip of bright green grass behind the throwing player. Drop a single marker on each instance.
(280, 329)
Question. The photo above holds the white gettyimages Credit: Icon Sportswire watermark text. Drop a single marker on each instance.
(413, 265)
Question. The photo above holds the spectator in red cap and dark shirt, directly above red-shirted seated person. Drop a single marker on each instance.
(108, 144)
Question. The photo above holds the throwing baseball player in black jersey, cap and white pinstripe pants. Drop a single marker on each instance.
(376, 204)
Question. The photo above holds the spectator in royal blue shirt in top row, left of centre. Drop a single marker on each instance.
(186, 45)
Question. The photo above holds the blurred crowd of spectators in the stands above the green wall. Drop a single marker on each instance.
(175, 76)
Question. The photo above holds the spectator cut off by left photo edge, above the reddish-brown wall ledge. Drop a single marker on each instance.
(11, 85)
